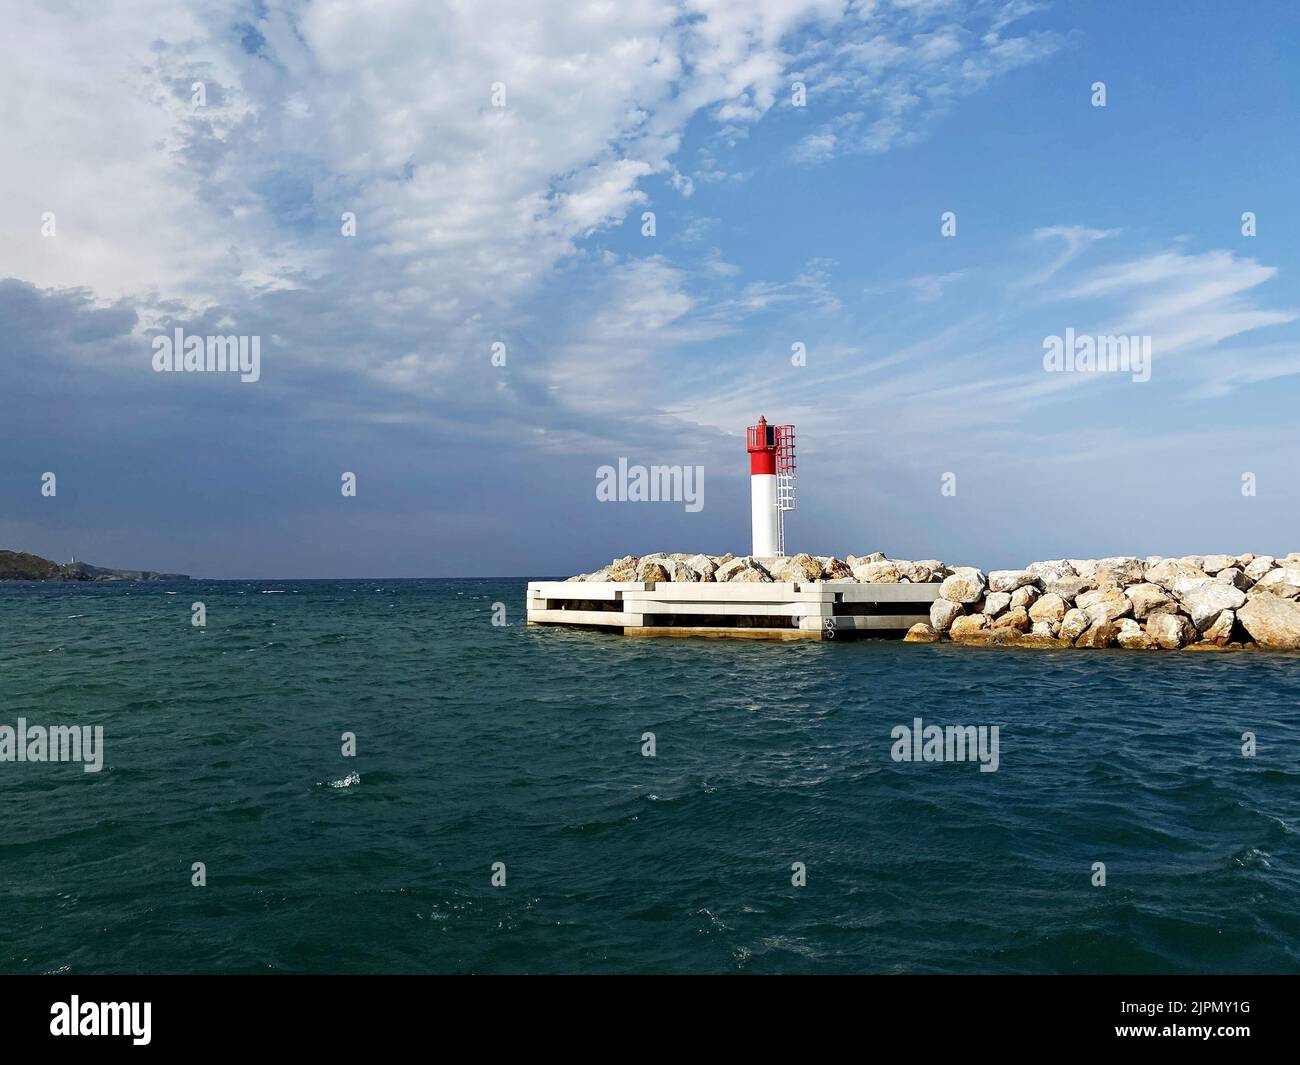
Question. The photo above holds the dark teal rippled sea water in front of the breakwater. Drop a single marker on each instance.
(479, 744)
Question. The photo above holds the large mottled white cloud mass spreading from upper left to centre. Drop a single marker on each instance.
(465, 213)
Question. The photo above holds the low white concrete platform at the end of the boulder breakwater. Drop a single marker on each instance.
(783, 611)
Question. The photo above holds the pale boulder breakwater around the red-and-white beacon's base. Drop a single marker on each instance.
(1199, 603)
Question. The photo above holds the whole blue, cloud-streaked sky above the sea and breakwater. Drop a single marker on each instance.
(505, 321)
